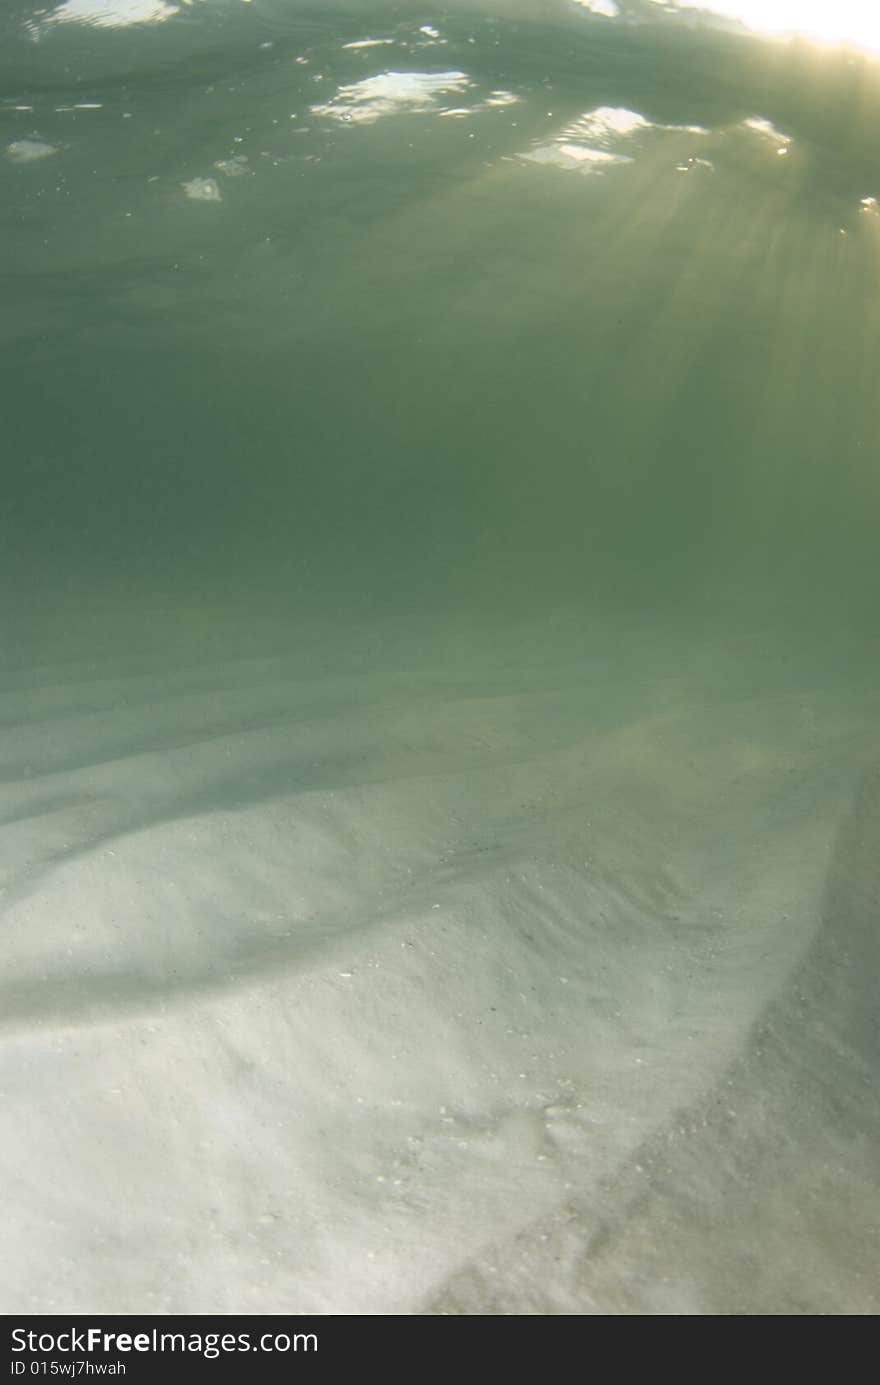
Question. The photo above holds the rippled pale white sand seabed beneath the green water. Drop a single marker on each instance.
(448, 980)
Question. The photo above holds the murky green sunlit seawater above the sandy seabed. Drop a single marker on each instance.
(398, 364)
